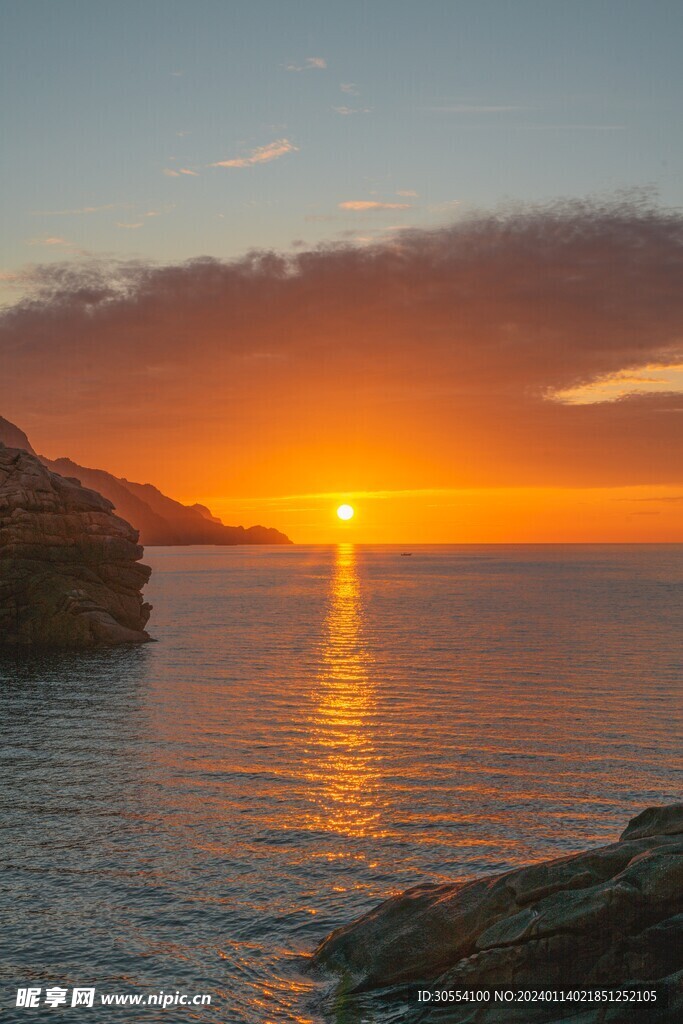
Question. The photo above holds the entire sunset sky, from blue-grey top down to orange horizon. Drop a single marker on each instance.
(423, 259)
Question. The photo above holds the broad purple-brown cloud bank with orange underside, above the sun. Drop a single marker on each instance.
(440, 338)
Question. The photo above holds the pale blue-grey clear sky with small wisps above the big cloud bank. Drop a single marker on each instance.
(426, 110)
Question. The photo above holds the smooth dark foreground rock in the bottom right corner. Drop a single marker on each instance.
(610, 918)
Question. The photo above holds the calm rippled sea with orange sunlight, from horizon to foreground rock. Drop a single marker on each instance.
(316, 730)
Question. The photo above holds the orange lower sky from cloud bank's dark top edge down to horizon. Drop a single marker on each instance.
(510, 378)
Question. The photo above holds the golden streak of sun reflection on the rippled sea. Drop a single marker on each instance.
(344, 767)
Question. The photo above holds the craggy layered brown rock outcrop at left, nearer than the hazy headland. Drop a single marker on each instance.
(70, 574)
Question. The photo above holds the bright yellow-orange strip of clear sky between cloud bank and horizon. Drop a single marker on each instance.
(495, 516)
